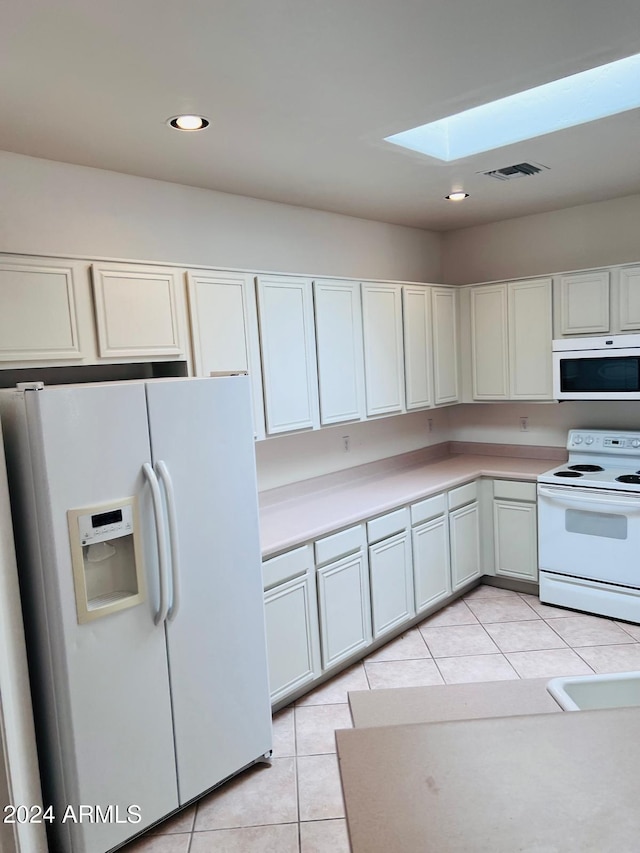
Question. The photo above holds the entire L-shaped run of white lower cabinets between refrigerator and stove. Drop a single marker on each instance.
(326, 604)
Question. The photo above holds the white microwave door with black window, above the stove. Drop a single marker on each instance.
(597, 374)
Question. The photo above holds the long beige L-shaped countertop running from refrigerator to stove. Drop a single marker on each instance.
(296, 514)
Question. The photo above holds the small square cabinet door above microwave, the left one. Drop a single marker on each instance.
(584, 303)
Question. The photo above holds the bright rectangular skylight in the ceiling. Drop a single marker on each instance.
(578, 99)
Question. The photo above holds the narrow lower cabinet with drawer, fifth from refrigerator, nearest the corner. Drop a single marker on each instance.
(464, 535)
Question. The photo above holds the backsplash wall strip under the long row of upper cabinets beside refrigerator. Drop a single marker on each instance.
(287, 459)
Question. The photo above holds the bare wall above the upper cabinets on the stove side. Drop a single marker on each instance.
(592, 235)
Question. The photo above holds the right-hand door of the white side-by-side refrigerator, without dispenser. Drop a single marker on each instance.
(202, 430)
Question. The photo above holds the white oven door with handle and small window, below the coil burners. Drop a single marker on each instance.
(589, 533)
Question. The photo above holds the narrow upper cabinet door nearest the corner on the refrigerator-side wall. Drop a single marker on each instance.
(445, 345)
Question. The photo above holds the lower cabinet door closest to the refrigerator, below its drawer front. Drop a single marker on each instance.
(293, 647)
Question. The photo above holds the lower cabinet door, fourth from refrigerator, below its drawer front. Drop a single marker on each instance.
(431, 567)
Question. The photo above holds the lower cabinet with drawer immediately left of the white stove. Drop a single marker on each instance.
(515, 530)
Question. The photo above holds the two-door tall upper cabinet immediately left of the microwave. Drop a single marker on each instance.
(511, 330)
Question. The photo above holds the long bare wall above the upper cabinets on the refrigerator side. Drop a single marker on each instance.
(56, 208)
